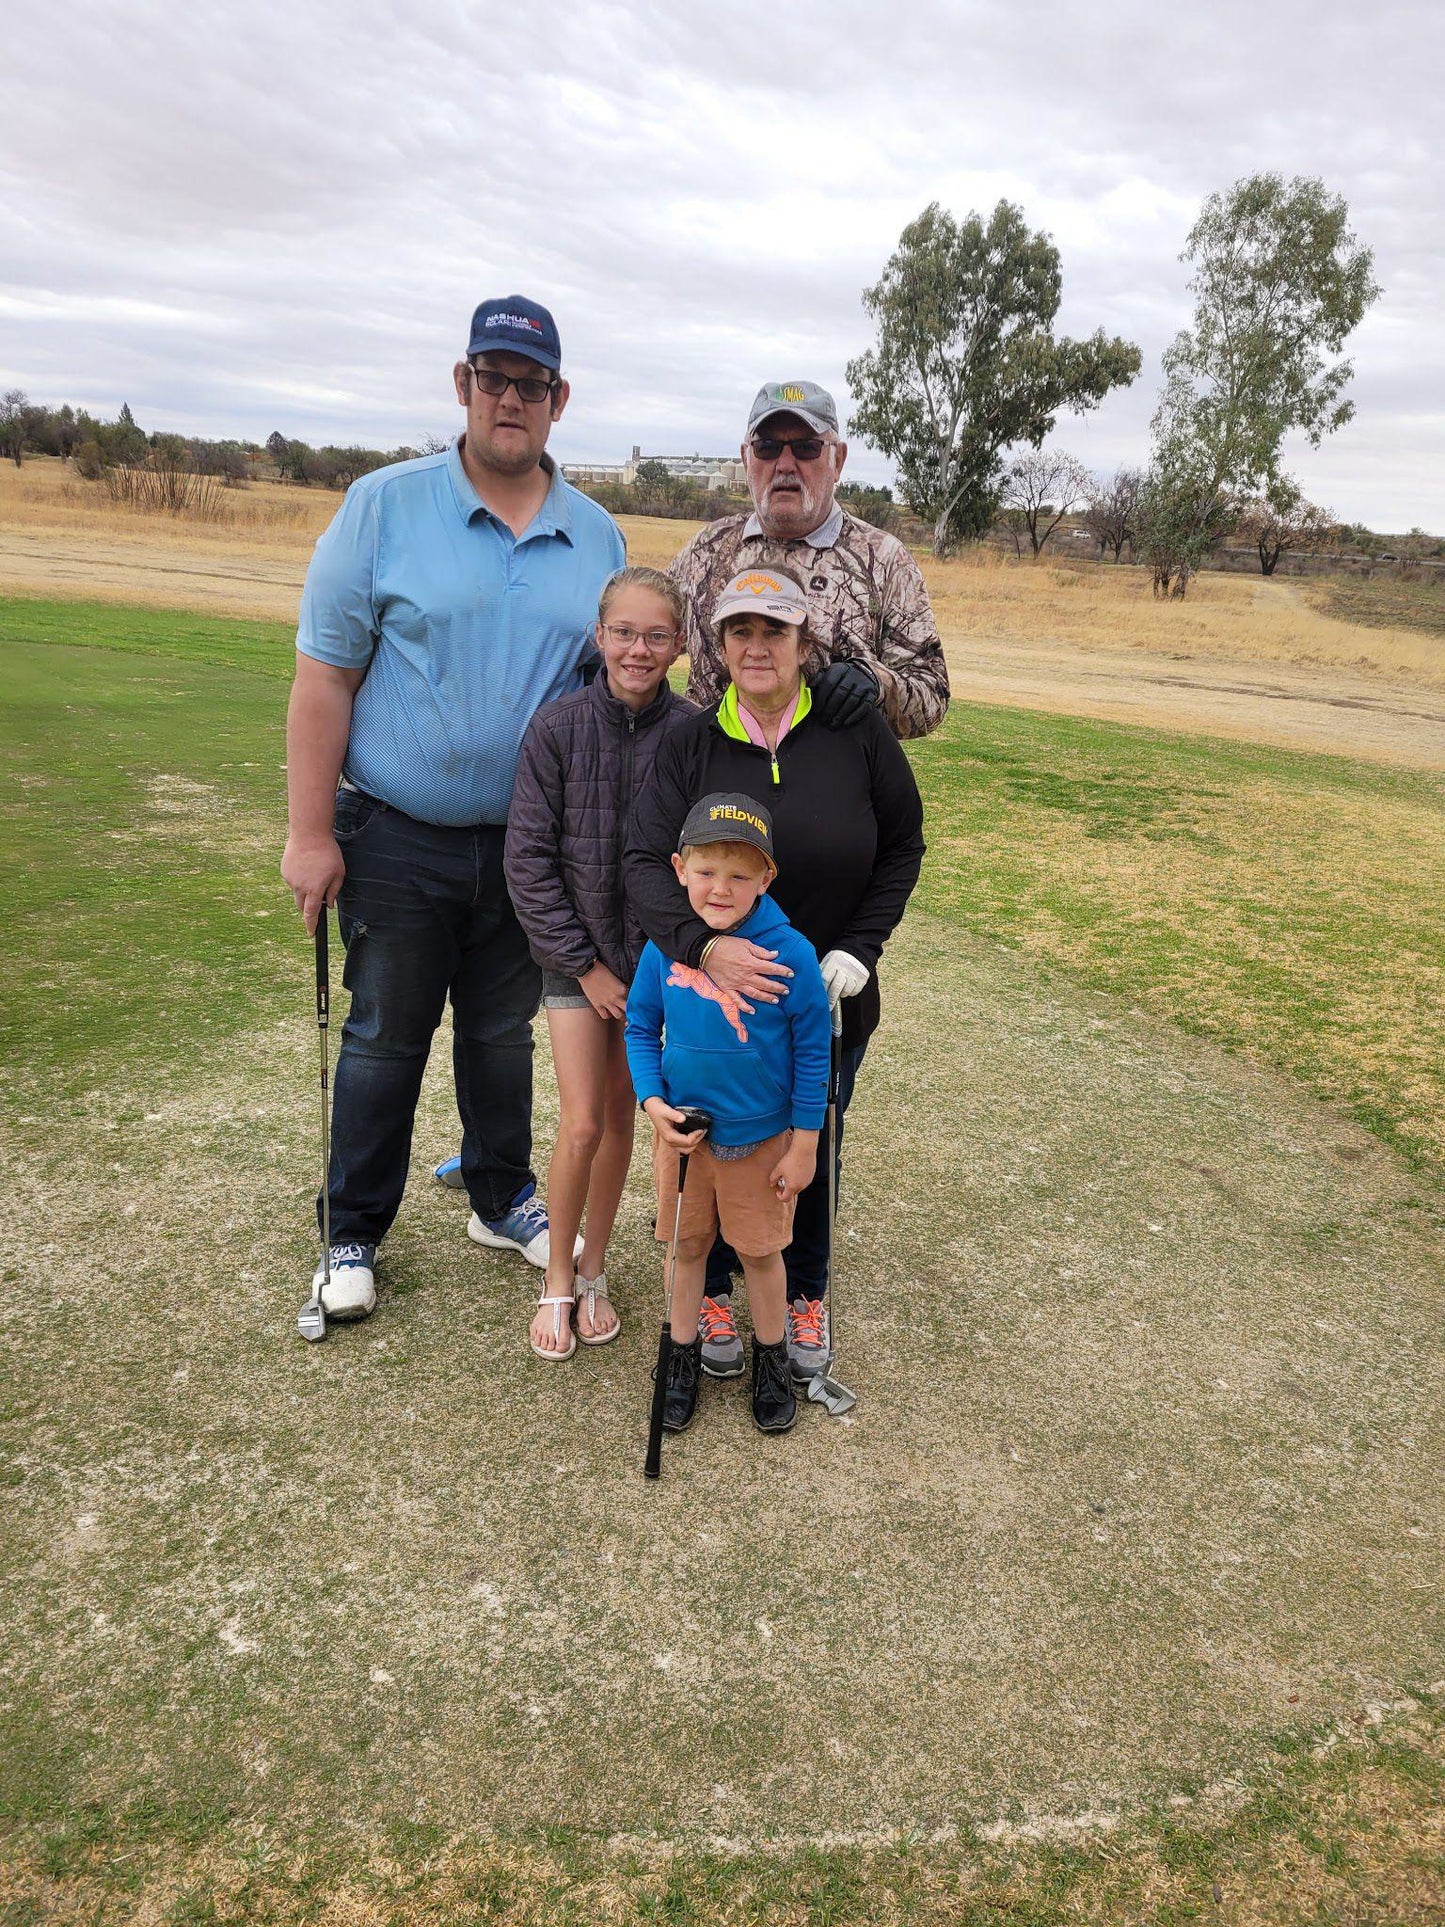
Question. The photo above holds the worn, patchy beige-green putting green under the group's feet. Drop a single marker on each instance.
(1145, 1464)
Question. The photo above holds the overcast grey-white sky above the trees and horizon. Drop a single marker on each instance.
(263, 217)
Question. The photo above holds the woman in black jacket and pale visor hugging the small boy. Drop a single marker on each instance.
(849, 835)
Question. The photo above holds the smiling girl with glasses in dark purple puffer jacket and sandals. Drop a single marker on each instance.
(583, 764)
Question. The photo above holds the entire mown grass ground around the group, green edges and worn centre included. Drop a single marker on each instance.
(1118, 1597)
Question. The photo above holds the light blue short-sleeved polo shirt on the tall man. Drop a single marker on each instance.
(461, 627)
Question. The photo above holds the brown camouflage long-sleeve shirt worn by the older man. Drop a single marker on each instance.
(866, 598)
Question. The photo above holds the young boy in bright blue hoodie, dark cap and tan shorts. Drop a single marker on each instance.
(764, 1078)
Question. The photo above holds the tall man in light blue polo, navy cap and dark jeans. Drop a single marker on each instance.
(448, 600)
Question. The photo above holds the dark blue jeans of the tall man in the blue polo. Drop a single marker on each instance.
(425, 916)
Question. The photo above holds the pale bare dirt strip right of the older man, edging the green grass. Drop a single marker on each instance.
(1321, 708)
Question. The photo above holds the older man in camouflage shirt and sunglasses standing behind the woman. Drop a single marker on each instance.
(866, 600)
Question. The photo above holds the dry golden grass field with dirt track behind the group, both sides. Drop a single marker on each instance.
(1242, 658)
